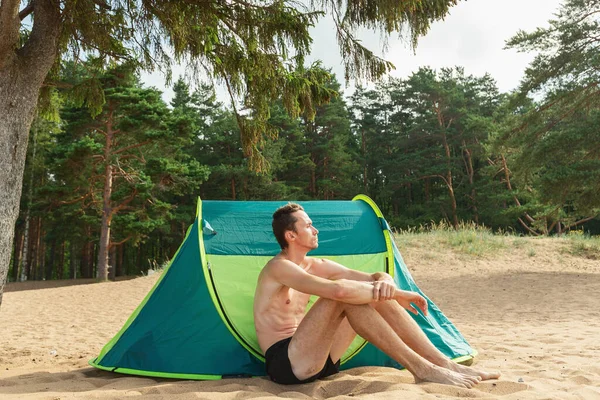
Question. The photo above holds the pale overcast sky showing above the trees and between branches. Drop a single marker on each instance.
(472, 35)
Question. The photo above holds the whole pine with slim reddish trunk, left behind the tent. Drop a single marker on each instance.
(136, 158)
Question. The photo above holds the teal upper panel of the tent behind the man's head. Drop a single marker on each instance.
(244, 228)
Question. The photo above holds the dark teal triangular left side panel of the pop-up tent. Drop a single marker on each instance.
(178, 330)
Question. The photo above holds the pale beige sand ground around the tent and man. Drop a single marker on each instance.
(532, 314)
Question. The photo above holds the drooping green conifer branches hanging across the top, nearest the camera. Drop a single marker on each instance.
(257, 49)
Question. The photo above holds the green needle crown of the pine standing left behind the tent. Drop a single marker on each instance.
(136, 136)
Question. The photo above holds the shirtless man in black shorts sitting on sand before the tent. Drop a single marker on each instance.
(300, 347)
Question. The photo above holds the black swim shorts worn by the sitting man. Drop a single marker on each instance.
(279, 368)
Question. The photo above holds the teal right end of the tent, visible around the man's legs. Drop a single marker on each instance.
(442, 333)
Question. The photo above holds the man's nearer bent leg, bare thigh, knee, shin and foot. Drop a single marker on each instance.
(313, 340)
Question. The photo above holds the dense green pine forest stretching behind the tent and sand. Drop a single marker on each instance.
(113, 172)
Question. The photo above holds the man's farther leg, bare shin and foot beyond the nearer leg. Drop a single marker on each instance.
(410, 332)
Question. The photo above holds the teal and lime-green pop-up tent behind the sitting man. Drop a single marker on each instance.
(197, 322)
